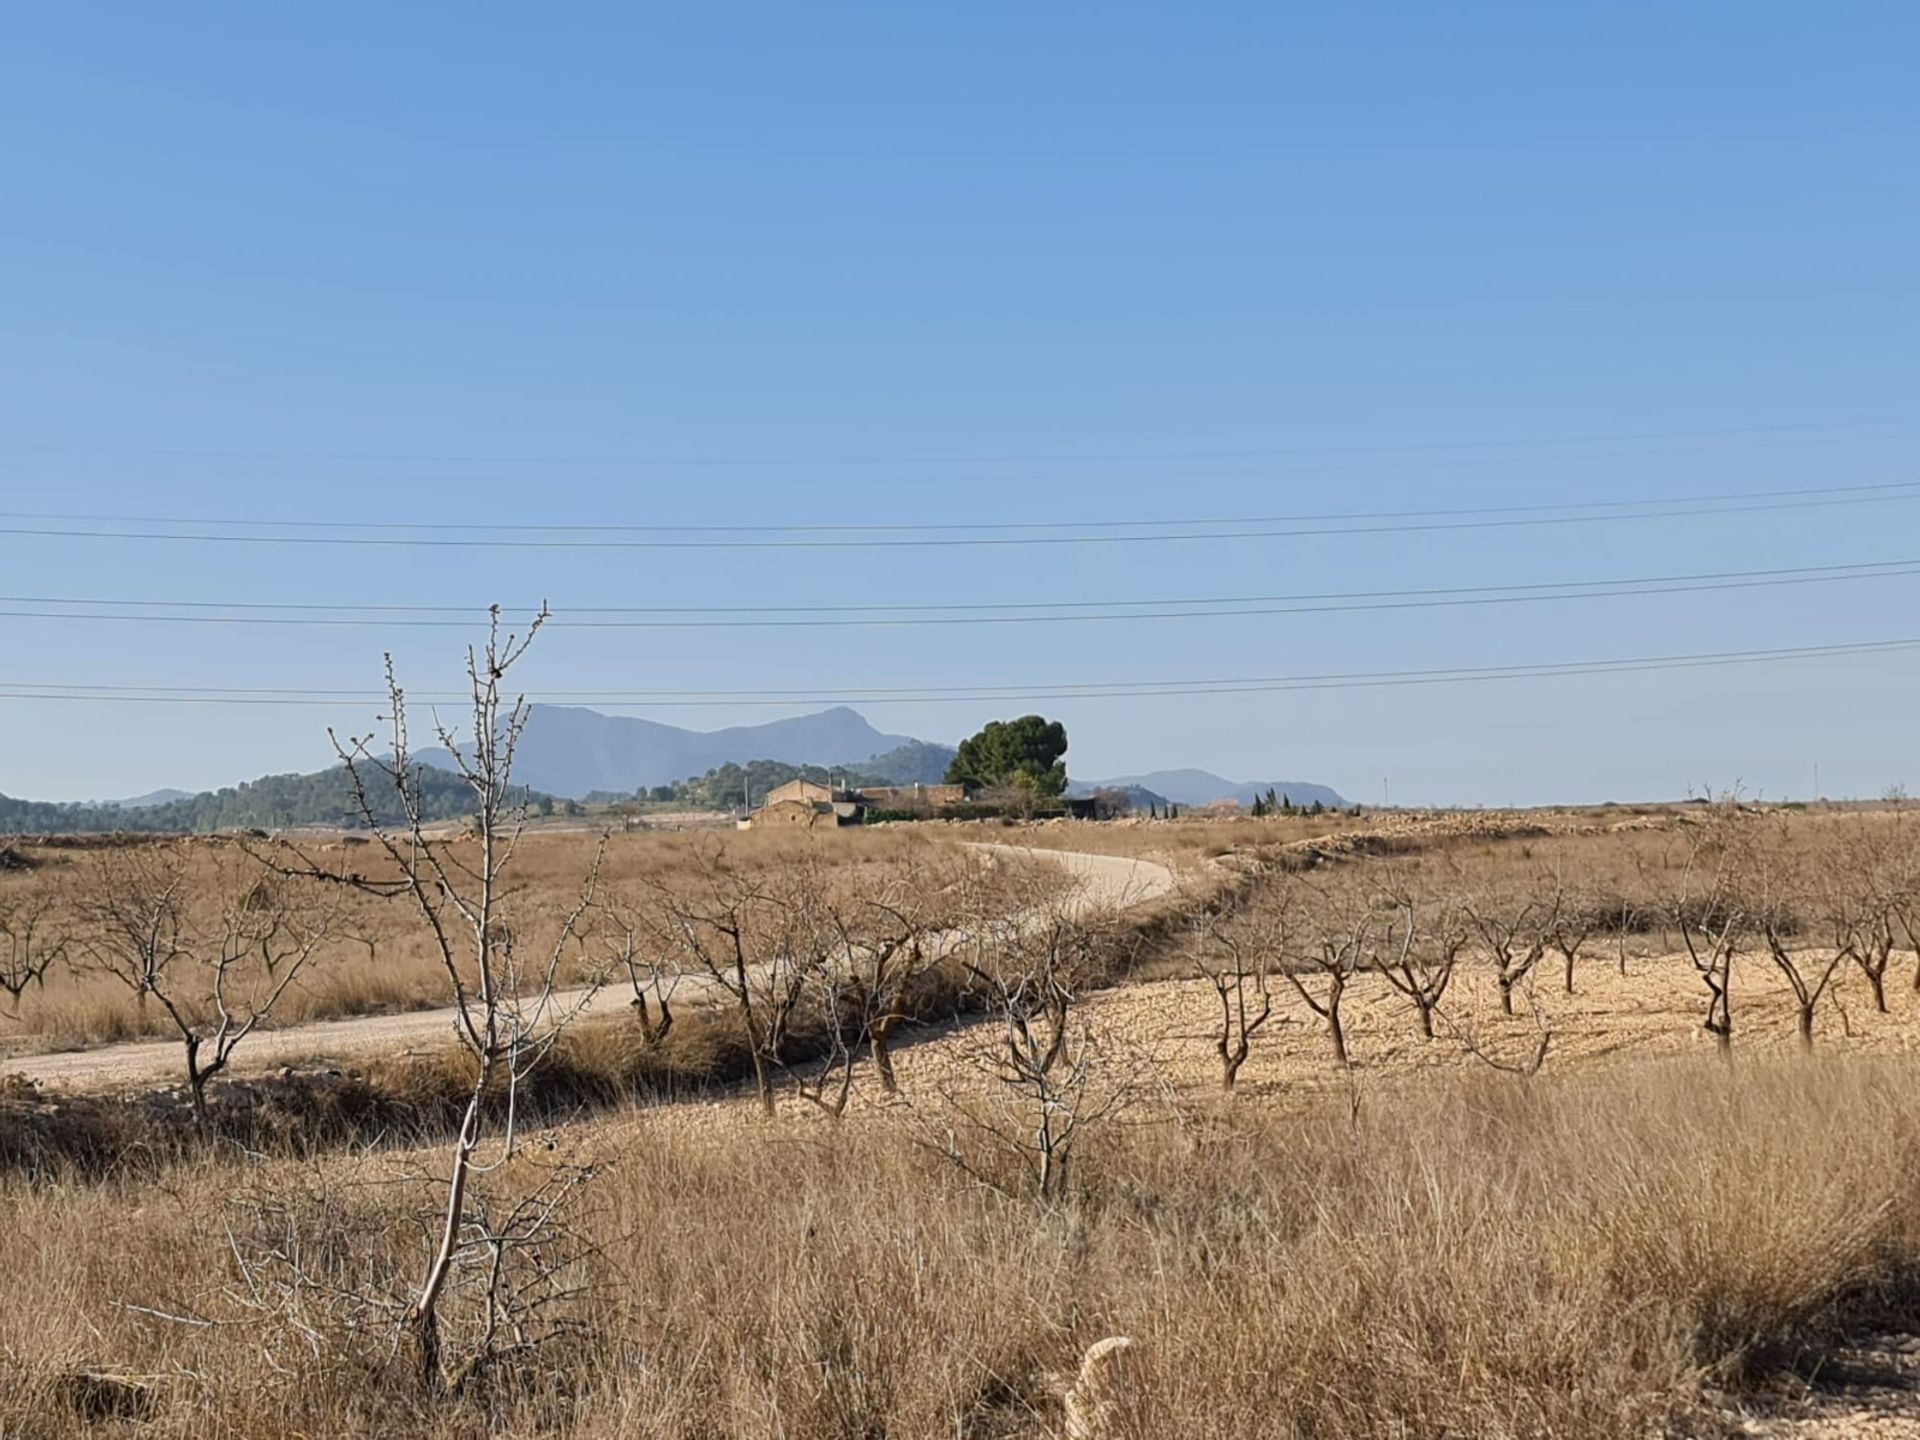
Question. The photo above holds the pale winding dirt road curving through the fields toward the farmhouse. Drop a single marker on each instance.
(1103, 882)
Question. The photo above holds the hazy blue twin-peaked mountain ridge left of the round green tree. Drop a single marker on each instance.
(571, 752)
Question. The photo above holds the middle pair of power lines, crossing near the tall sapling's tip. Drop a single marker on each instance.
(272, 613)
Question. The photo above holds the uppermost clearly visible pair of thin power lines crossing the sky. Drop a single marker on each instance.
(1308, 527)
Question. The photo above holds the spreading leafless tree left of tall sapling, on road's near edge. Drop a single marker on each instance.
(216, 978)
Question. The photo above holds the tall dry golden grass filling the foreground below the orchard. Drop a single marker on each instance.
(1579, 1257)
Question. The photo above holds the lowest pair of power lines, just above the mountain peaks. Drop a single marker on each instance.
(930, 696)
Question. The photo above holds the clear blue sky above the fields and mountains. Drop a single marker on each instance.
(915, 266)
